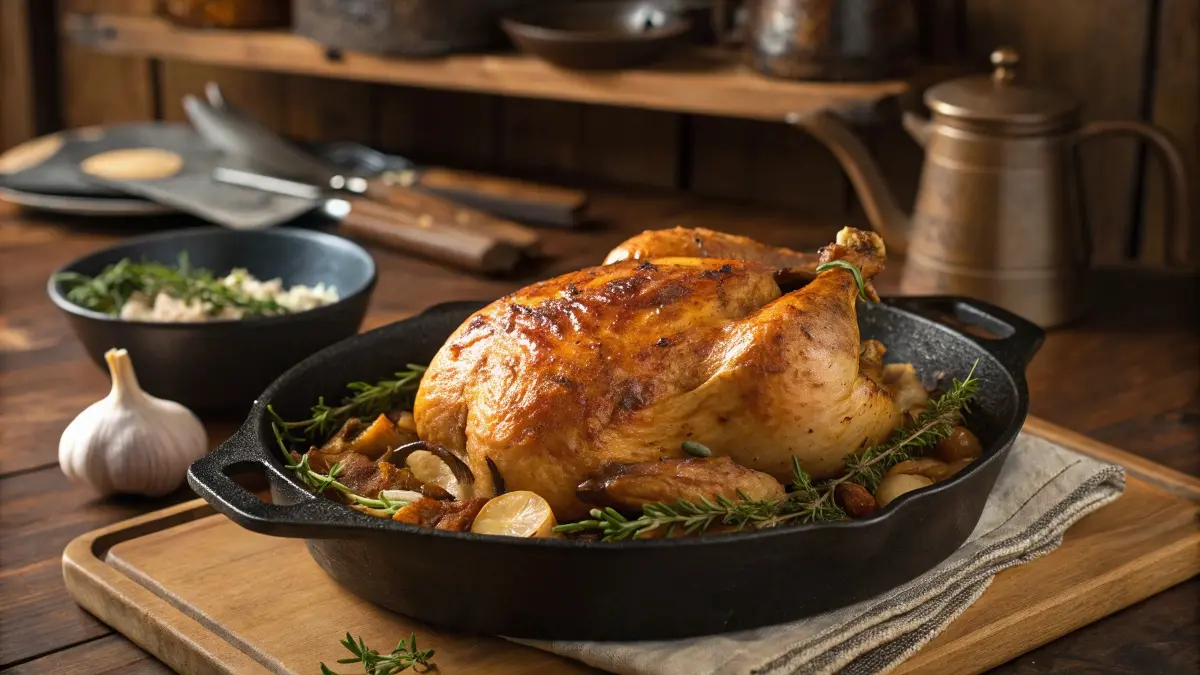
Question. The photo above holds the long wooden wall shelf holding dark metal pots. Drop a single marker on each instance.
(700, 81)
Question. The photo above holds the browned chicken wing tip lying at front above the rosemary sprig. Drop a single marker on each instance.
(629, 487)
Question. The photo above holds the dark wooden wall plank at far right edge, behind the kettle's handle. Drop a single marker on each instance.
(1177, 107)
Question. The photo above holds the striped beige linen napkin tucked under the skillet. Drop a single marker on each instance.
(1043, 489)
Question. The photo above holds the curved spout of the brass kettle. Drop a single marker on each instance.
(865, 175)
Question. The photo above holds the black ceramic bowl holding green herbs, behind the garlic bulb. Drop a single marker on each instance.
(221, 367)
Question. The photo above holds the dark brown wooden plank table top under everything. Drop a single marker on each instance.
(1129, 375)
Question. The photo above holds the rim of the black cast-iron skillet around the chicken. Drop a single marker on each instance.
(356, 525)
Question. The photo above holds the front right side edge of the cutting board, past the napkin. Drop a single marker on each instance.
(1061, 614)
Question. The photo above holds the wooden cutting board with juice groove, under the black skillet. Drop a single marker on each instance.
(208, 598)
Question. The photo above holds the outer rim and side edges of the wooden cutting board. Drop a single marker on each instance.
(188, 646)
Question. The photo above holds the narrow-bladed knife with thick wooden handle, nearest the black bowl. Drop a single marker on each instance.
(388, 226)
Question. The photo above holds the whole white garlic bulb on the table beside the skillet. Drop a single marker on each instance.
(131, 441)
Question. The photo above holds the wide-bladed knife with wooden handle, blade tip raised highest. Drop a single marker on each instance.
(239, 135)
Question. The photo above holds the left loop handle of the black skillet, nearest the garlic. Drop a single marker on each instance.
(209, 477)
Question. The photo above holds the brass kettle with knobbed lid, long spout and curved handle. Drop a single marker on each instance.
(999, 213)
